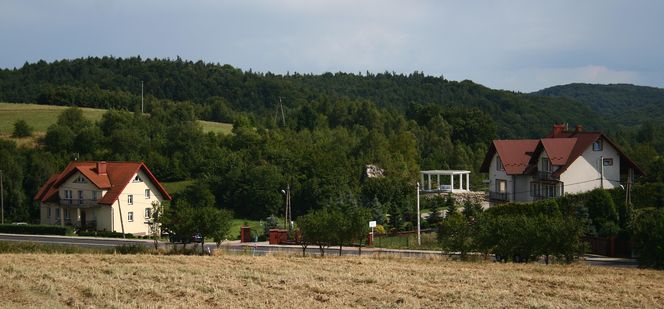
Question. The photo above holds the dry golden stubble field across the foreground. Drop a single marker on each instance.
(234, 281)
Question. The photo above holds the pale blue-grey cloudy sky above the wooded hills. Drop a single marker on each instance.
(515, 45)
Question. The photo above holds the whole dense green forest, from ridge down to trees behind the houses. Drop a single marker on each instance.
(329, 127)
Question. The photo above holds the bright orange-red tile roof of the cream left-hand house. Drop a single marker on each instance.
(116, 178)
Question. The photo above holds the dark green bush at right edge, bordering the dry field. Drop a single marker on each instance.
(648, 232)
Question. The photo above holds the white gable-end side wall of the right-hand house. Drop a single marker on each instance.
(584, 173)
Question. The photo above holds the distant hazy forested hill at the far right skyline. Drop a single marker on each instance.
(624, 103)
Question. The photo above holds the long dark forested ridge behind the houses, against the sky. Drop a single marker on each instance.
(221, 91)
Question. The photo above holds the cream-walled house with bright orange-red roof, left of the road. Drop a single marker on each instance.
(106, 196)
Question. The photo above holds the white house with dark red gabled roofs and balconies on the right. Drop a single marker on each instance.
(564, 162)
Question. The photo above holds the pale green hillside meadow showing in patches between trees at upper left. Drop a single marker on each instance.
(40, 117)
